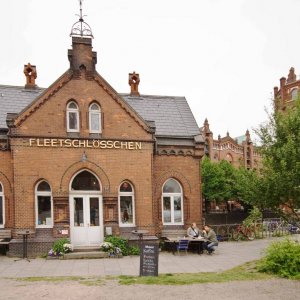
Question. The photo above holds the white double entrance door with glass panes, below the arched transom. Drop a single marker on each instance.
(86, 220)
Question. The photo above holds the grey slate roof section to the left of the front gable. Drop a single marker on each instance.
(13, 99)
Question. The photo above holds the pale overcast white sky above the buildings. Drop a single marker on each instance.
(224, 56)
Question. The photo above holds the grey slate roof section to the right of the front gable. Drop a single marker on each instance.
(172, 115)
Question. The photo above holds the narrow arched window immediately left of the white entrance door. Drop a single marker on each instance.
(43, 205)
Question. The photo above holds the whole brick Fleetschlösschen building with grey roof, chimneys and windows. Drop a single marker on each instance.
(80, 160)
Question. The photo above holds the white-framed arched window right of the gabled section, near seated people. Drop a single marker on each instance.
(172, 205)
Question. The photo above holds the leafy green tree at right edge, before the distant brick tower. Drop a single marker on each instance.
(280, 138)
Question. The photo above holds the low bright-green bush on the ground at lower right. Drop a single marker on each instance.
(282, 258)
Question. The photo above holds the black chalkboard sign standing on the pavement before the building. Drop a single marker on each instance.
(149, 260)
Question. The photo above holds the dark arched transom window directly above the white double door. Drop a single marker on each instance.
(85, 181)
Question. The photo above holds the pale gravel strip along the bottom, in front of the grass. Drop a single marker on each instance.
(261, 290)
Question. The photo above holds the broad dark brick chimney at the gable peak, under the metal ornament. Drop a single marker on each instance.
(81, 57)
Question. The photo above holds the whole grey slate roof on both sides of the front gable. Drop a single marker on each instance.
(171, 116)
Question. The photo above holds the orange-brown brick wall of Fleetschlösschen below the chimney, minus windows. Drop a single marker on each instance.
(46, 118)
